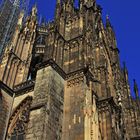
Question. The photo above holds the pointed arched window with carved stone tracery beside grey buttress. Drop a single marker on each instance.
(19, 120)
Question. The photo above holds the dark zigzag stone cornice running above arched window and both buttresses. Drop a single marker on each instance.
(29, 85)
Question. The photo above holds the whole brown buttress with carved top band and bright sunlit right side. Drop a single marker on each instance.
(80, 121)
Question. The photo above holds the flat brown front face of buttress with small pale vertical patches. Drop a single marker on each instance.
(73, 129)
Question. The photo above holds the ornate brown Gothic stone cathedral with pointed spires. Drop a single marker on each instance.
(62, 80)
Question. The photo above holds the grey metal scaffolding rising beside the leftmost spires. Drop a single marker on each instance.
(9, 12)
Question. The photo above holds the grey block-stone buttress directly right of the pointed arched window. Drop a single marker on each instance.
(47, 108)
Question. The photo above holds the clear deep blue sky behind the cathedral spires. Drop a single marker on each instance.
(125, 18)
